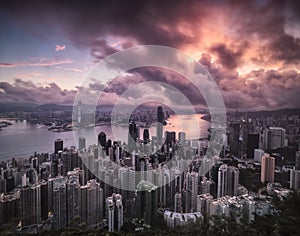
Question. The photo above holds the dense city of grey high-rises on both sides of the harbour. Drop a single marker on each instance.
(158, 186)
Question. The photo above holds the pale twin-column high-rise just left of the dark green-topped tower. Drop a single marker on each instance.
(114, 212)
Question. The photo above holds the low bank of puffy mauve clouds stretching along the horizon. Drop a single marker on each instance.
(256, 90)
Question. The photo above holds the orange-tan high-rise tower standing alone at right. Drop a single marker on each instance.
(267, 168)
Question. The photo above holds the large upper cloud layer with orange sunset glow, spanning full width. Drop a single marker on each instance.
(267, 29)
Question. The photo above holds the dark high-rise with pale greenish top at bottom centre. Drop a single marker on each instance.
(147, 202)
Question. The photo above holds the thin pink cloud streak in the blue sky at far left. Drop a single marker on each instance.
(37, 62)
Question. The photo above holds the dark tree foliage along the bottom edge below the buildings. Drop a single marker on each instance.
(286, 222)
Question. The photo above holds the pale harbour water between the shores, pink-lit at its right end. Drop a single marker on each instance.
(22, 139)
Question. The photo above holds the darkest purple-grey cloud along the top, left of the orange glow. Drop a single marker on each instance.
(147, 21)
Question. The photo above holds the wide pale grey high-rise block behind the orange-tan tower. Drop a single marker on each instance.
(273, 138)
